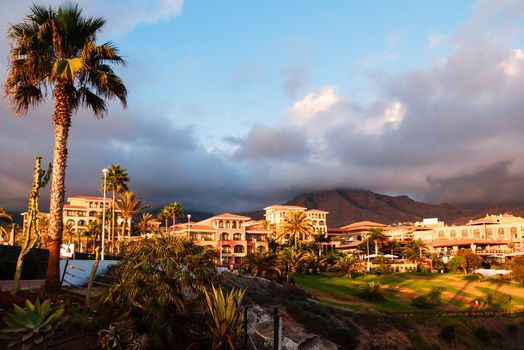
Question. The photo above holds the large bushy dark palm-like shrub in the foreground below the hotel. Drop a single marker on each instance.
(154, 281)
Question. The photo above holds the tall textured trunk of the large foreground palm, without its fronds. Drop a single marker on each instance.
(64, 94)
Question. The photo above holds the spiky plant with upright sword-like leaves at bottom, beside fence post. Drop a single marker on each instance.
(225, 317)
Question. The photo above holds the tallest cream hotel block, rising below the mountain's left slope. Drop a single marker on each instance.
(276, 214)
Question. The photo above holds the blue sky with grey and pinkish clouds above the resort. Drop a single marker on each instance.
(235, 105)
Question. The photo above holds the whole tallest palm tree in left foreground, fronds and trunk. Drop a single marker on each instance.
(54, 50)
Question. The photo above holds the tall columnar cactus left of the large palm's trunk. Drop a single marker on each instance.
(31, 235)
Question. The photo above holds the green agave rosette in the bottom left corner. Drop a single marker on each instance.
(33, 326)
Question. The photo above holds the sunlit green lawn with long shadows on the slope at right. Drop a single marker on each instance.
(402, 288)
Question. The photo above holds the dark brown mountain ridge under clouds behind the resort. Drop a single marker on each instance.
(349, 205)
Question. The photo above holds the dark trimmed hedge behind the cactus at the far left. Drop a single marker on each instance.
(35, 263)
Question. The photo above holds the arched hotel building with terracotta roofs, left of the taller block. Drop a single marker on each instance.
(230, 234)
